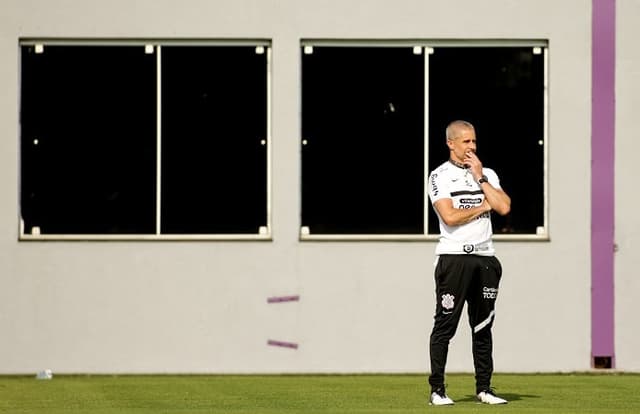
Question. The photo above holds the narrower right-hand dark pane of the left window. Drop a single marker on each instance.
(214, 132)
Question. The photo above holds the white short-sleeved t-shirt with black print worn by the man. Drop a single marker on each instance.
(451, 181)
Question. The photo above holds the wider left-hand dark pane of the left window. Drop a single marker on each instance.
(88, 116)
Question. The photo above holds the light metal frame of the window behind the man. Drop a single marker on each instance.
(426, 48)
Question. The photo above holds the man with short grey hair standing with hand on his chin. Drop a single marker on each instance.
(463, 194)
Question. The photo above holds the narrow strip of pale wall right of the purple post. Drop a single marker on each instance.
(627, 226)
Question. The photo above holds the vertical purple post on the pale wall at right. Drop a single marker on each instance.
(603, 44)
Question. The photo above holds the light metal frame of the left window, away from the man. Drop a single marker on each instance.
(262, 46)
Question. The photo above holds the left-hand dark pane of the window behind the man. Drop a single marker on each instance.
(363, 140)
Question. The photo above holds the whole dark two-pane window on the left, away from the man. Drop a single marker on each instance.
(90, 162)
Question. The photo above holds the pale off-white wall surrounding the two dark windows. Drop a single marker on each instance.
(365, 306)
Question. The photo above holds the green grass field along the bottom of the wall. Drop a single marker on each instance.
(321, 394)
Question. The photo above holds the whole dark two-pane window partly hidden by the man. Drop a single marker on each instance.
(363, 131)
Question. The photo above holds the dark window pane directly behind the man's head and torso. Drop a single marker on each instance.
(501, 91)
